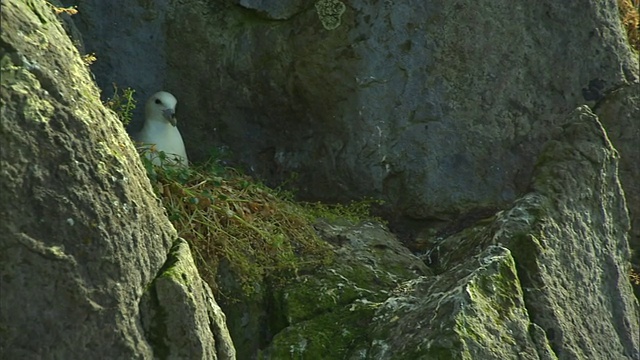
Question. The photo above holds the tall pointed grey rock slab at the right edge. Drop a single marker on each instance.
(569, 241)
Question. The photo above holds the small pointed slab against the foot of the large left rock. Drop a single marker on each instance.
(181, 313)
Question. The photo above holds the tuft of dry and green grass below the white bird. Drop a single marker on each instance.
(227, 216)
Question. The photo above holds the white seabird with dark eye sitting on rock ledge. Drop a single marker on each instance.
(160, 131)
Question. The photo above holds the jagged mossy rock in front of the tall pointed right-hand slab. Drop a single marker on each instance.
(476, 310)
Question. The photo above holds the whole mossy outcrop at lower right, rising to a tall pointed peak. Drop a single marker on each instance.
(545, 279)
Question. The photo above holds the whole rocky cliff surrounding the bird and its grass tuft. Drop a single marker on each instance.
(439, 108)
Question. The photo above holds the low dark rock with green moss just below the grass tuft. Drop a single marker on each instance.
(325, 313)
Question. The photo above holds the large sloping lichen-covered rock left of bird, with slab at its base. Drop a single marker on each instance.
(82, 236)
